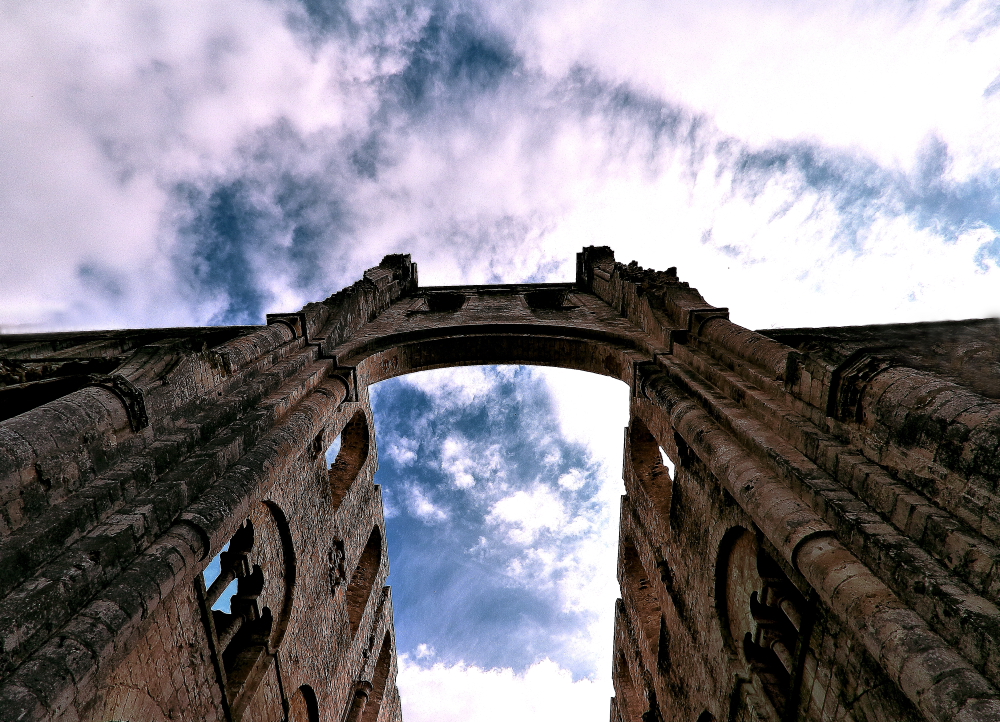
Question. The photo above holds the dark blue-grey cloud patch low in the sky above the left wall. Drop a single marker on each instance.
(236, 237)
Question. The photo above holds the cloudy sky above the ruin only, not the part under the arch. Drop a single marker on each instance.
(208, 167)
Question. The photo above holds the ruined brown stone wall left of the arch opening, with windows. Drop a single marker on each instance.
(117, 494)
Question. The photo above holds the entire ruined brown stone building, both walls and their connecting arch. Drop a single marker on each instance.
(809, 532)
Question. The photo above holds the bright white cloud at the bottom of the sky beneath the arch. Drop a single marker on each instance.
(466, 693)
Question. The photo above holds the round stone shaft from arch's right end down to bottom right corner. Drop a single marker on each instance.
(927, 670)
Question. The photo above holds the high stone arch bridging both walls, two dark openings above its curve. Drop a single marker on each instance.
(549, 325)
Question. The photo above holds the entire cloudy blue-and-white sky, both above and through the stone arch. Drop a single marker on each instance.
(803, 163)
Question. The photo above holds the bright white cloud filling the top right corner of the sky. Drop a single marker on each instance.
(879, 76)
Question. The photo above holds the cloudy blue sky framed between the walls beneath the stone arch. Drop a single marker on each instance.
(501, 487)
